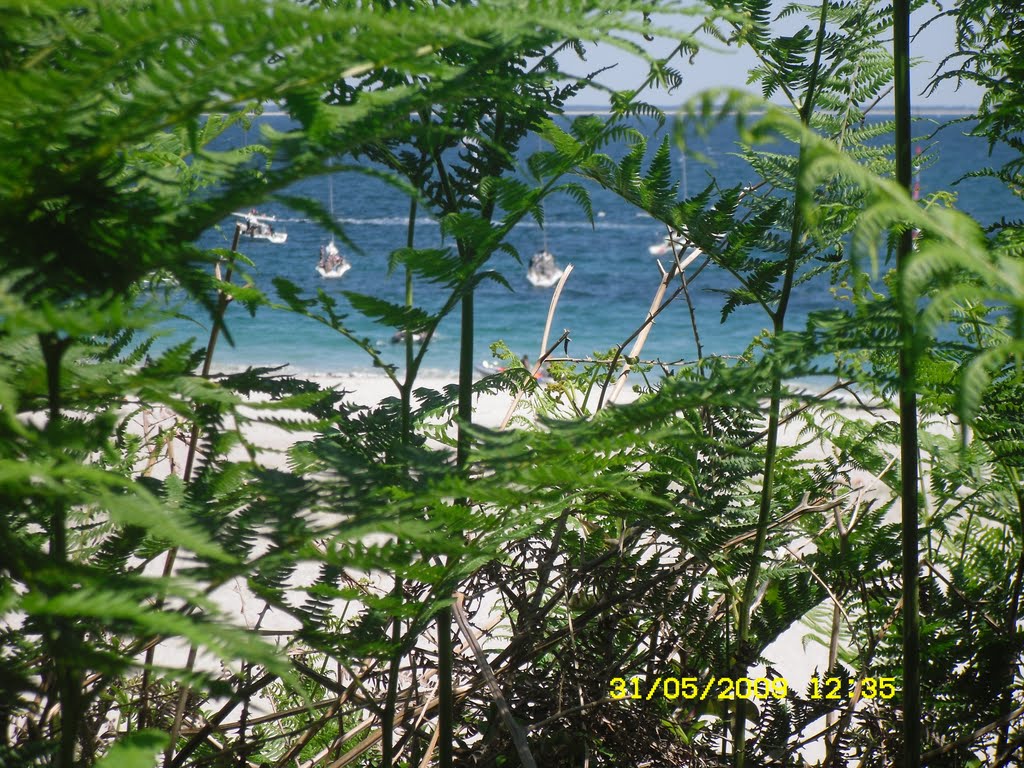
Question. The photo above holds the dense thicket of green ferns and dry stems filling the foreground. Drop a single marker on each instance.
(596, 586)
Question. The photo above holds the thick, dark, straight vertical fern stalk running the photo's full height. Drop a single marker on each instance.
(908, 407)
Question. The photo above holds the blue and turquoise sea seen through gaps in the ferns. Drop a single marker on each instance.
(606, 300)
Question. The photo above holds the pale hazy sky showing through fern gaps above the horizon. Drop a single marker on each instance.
(712, 69)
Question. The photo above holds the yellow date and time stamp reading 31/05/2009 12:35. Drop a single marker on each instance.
(672, 689)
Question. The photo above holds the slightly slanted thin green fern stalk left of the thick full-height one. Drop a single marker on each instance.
(775, 412)
